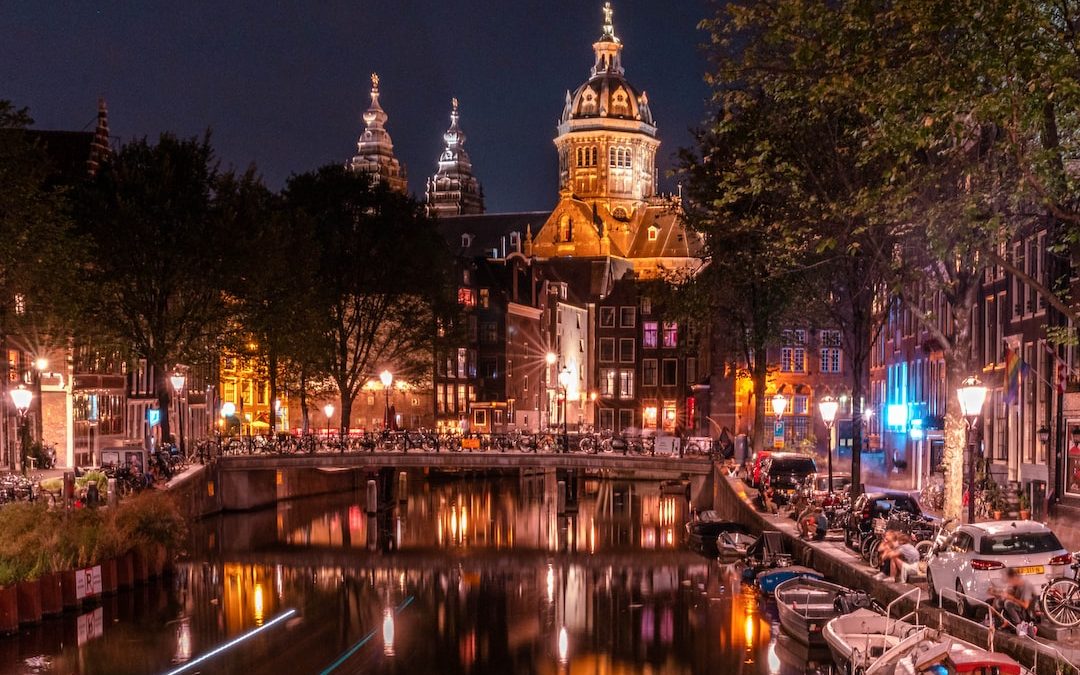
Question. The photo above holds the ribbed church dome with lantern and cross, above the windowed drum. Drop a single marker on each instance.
(607, 93)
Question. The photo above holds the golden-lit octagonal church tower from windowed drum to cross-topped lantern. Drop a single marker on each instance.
(607, 140)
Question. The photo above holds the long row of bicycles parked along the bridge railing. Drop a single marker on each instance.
(430, 441)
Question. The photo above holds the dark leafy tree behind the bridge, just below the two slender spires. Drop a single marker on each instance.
(382, 281)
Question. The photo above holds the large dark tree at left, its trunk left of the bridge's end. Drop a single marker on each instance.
(161, 251)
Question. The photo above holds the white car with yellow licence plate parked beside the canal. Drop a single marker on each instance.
(976, 558)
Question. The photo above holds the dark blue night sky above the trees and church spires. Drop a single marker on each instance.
(283, 85)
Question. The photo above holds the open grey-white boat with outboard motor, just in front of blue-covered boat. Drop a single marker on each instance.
(806, 604)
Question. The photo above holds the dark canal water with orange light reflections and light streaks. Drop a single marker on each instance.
(517, 573)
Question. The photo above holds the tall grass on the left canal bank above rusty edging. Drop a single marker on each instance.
(36, 541)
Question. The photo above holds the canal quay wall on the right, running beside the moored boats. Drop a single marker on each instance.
(733, 502)
